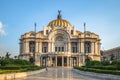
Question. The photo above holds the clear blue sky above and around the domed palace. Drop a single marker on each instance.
(18, 16)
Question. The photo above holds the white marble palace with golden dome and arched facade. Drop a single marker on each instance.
(60, 44)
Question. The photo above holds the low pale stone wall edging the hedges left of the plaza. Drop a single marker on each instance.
(12, 76)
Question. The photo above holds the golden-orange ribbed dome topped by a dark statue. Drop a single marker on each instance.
(59, 22)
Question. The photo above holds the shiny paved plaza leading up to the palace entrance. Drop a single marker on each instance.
(59, 74)
